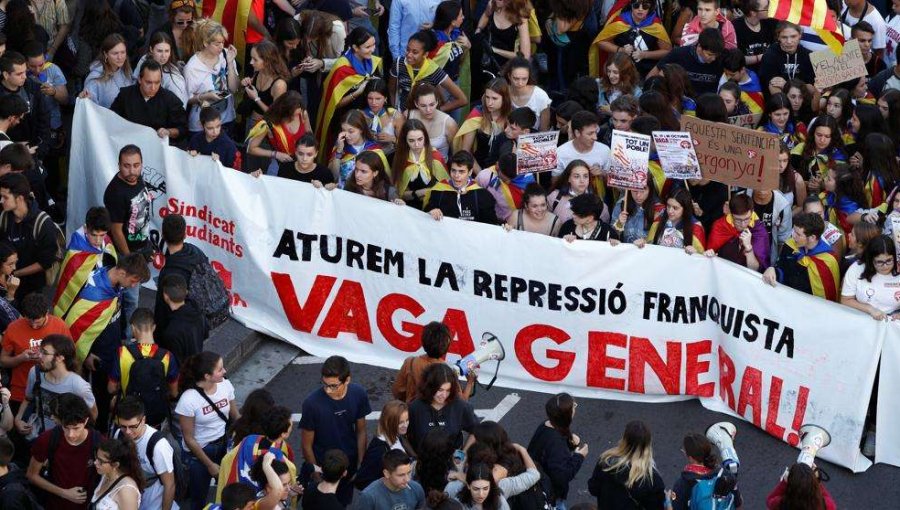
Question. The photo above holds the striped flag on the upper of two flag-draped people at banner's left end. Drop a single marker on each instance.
(81, 258)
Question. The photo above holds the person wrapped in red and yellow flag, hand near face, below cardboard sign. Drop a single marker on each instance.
(740, 236)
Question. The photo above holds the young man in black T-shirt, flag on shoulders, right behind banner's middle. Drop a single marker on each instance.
(460, 196)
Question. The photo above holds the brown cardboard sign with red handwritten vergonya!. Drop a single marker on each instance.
(734, 155)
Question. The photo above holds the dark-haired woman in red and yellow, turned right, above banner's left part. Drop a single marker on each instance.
(284, 123)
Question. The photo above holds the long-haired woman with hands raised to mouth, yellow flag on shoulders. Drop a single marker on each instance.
(417, 167)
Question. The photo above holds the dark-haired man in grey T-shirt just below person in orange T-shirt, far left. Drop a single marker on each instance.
(53, 376)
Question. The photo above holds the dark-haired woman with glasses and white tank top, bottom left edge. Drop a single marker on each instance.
(121, 476)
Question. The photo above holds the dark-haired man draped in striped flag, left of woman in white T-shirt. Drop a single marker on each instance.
(806, 262)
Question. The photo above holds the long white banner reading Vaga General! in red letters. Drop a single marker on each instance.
(328, 272)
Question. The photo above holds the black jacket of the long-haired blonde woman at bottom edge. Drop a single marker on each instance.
(611, 493)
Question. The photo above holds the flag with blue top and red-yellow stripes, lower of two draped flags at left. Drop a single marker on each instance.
(95, 307)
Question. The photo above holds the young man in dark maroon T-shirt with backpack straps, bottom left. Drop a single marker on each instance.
(67, 454)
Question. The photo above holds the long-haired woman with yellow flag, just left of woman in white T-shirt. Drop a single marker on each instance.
(483, 131)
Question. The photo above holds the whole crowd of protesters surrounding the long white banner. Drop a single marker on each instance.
(421, 103)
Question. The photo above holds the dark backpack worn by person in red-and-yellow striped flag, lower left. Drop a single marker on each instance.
(147, 381)
